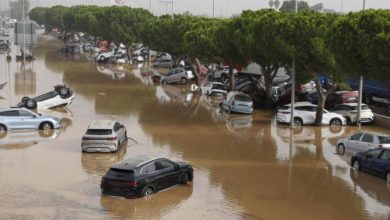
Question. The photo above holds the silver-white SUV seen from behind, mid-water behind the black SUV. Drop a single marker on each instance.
(104, 136)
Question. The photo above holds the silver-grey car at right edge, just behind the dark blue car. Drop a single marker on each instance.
(362, 141)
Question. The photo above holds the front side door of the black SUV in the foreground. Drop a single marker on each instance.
(167, 172)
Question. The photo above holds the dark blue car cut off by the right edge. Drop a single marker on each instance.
(375, 161)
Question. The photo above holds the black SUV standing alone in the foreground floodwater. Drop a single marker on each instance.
(142, 176)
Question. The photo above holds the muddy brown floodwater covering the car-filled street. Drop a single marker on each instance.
(246, 167)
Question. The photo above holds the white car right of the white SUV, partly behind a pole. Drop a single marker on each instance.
(349, 111)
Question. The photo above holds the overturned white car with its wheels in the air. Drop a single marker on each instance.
(60, 97)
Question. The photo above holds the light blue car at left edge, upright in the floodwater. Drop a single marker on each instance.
(21, 118)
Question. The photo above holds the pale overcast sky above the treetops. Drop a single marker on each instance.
(223, 8)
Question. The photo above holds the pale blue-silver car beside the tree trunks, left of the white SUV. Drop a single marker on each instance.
(238, 102)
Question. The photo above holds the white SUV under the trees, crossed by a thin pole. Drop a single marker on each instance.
(305, 113)
